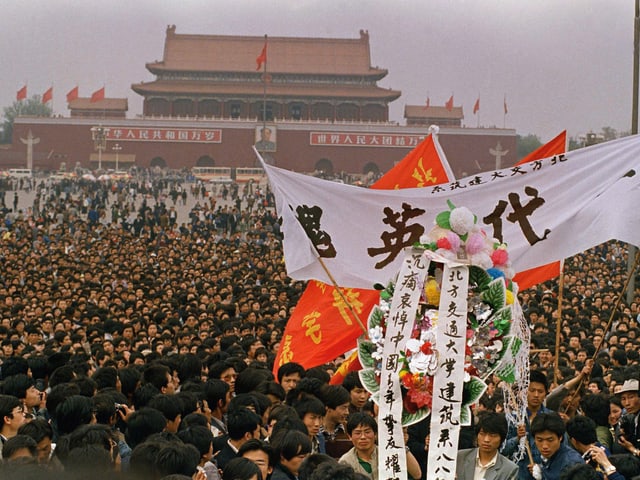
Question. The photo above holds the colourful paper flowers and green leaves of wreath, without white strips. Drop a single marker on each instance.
(490, 346)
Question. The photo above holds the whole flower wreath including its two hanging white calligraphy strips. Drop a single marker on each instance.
(441, 344)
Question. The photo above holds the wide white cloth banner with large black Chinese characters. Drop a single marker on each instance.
(545, 211)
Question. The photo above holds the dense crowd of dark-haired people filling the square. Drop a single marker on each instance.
(139, 322)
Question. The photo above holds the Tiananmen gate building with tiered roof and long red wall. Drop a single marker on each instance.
(315, 104)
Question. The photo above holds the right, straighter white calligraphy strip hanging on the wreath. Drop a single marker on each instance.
(449, 378)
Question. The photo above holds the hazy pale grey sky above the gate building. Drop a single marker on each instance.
(562, 64)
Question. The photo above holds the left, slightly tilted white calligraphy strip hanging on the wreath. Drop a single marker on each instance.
(392, 461)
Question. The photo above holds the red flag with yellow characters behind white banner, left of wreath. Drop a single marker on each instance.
(322, 327)
